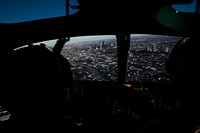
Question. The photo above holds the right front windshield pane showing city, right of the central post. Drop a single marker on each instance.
(147, 56)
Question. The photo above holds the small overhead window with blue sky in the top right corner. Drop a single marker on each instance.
(193, 7)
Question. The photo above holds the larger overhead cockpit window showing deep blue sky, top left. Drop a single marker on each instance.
(15, 11)
